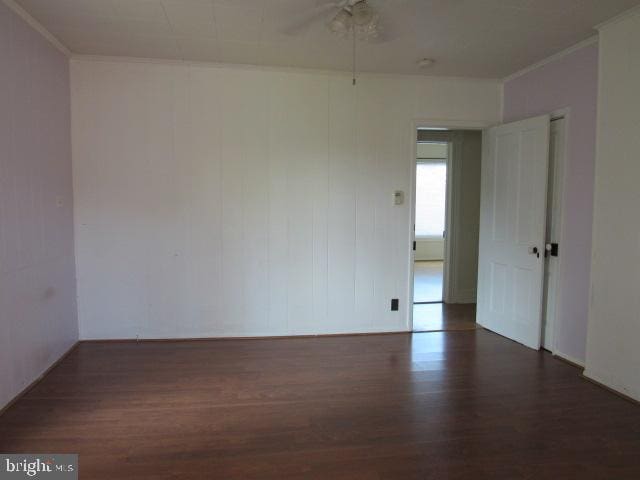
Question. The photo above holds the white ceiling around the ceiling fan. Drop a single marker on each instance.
(474, 38)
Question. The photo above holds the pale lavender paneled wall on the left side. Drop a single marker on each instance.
(37, 271)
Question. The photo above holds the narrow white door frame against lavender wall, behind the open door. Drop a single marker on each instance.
(563, 113)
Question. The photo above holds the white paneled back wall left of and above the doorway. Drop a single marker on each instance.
(221, 201)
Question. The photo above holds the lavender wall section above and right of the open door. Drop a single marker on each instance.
(571, 81)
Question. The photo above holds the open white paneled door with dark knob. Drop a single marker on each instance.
(512, 229)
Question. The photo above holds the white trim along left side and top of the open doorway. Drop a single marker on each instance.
(415, 125)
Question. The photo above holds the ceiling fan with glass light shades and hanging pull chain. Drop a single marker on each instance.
(357, 19)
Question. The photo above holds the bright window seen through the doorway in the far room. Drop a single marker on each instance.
(431, 193)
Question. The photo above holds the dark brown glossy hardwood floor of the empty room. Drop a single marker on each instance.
(456, 405)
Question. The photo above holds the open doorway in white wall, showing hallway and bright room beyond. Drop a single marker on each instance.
(446, 223)
